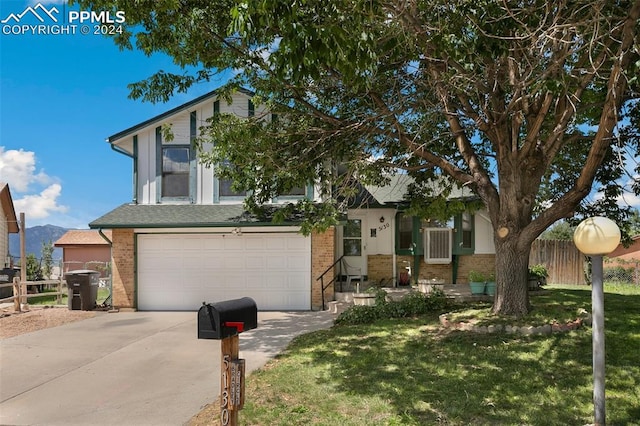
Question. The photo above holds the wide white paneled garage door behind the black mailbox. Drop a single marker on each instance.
(180, 271)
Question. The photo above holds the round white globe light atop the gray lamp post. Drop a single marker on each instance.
(597, 236)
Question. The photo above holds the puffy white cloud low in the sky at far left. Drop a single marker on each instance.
(40, 192)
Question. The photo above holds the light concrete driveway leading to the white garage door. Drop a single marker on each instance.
(129, 368)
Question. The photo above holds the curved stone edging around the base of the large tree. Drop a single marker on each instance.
(584, 318)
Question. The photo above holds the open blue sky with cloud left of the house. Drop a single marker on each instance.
(61, 96)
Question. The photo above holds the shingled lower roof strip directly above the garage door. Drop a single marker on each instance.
(182, 216)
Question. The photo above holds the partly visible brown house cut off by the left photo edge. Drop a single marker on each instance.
(8, 225)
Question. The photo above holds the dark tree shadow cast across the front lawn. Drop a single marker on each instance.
(430, 376)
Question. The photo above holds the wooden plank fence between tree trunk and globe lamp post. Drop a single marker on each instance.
(563, 260)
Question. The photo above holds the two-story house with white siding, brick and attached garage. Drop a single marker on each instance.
(186, 239)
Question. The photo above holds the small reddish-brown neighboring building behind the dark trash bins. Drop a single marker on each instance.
(85, 249)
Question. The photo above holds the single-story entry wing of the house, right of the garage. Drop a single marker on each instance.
(387, 245)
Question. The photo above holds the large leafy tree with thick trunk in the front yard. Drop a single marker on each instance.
(522, 102)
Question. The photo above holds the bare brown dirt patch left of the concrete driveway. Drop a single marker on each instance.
(37, 318)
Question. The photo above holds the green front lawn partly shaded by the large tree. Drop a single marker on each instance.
(411, 372)
